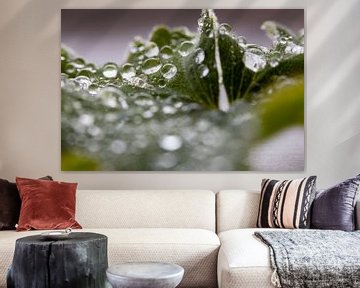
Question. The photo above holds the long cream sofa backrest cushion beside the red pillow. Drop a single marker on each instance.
(146, 209)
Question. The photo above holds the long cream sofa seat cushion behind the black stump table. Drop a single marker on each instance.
(194, 249)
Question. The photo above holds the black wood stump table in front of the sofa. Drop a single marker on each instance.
(79, 261)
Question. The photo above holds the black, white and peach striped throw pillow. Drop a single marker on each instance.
(286, 204)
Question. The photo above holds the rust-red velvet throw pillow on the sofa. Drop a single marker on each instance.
(46, 204)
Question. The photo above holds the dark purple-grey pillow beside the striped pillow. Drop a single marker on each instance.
(334, 208)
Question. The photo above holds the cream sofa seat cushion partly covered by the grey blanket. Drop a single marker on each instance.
(244, 261)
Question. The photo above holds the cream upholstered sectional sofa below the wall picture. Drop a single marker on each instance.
(209, 234)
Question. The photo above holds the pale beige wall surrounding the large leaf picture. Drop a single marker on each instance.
(30, 94)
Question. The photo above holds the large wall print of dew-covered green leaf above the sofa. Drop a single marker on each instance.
(182, 90)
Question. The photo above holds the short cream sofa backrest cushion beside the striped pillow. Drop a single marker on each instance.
(236, 209)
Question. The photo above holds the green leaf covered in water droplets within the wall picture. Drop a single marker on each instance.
(182, 100)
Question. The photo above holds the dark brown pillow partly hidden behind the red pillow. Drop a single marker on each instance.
(10, 204)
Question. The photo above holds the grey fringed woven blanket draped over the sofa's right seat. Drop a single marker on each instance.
(313, 258)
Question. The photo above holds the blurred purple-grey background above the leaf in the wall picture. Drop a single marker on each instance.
(103, 35)
